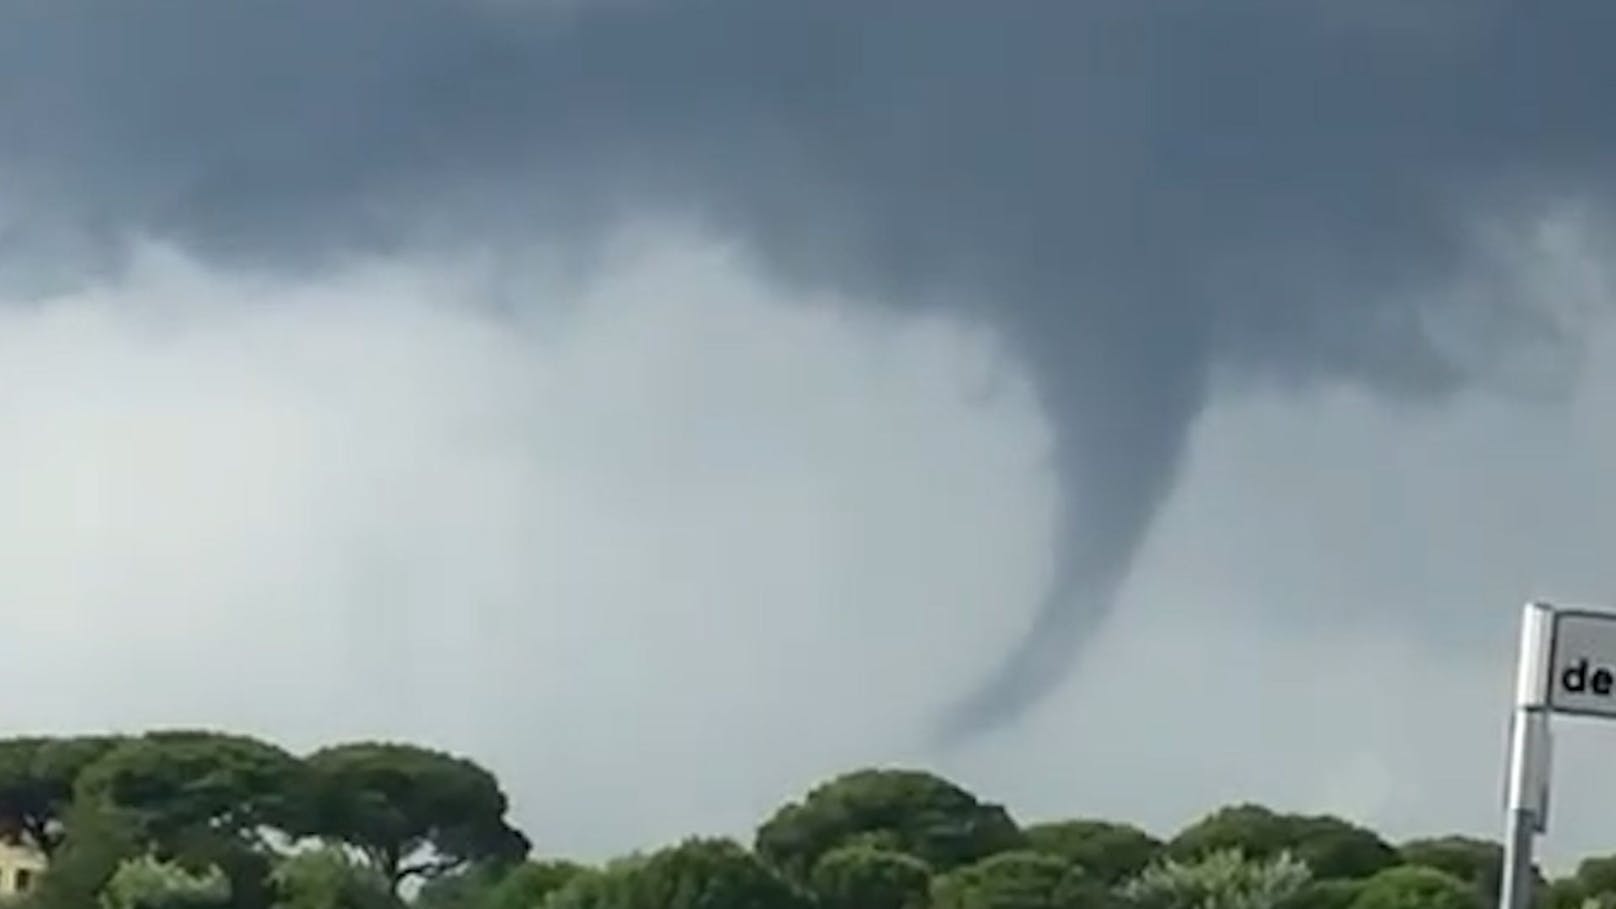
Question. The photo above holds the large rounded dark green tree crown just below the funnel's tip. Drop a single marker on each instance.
(907, 811)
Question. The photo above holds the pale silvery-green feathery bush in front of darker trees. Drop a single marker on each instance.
(1221, 881)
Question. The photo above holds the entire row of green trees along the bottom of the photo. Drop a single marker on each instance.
(213, 821)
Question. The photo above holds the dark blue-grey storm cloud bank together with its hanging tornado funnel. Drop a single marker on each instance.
(1135, 195)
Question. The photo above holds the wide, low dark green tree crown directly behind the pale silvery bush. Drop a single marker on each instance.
(1329, 847)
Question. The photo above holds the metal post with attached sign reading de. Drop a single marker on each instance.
(1567, 664)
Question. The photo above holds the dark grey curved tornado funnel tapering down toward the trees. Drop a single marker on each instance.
(1124, 392)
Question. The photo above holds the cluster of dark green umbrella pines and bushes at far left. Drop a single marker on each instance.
(198, 819)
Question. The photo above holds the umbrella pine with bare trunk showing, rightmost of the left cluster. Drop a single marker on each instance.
(413, 813)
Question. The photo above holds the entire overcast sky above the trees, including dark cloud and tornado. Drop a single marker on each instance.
(671, 439)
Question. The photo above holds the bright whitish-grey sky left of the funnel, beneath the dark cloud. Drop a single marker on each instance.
(360, 507)
